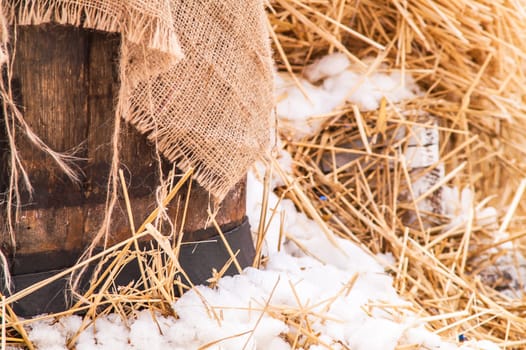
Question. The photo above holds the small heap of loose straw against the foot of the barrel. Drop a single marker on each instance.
(160, 273)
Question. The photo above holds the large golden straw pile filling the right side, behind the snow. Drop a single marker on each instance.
(468, 56)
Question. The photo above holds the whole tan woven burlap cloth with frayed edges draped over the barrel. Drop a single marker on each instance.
(196, 75)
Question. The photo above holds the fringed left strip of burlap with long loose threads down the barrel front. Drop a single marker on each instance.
(156, 37)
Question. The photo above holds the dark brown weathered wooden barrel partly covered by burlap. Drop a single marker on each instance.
(65, 81)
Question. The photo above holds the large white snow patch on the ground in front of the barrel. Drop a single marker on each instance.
(291, 282)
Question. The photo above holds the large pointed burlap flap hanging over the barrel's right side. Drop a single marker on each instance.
(217, 176)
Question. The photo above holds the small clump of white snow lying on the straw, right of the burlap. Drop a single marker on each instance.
(328, 84)
